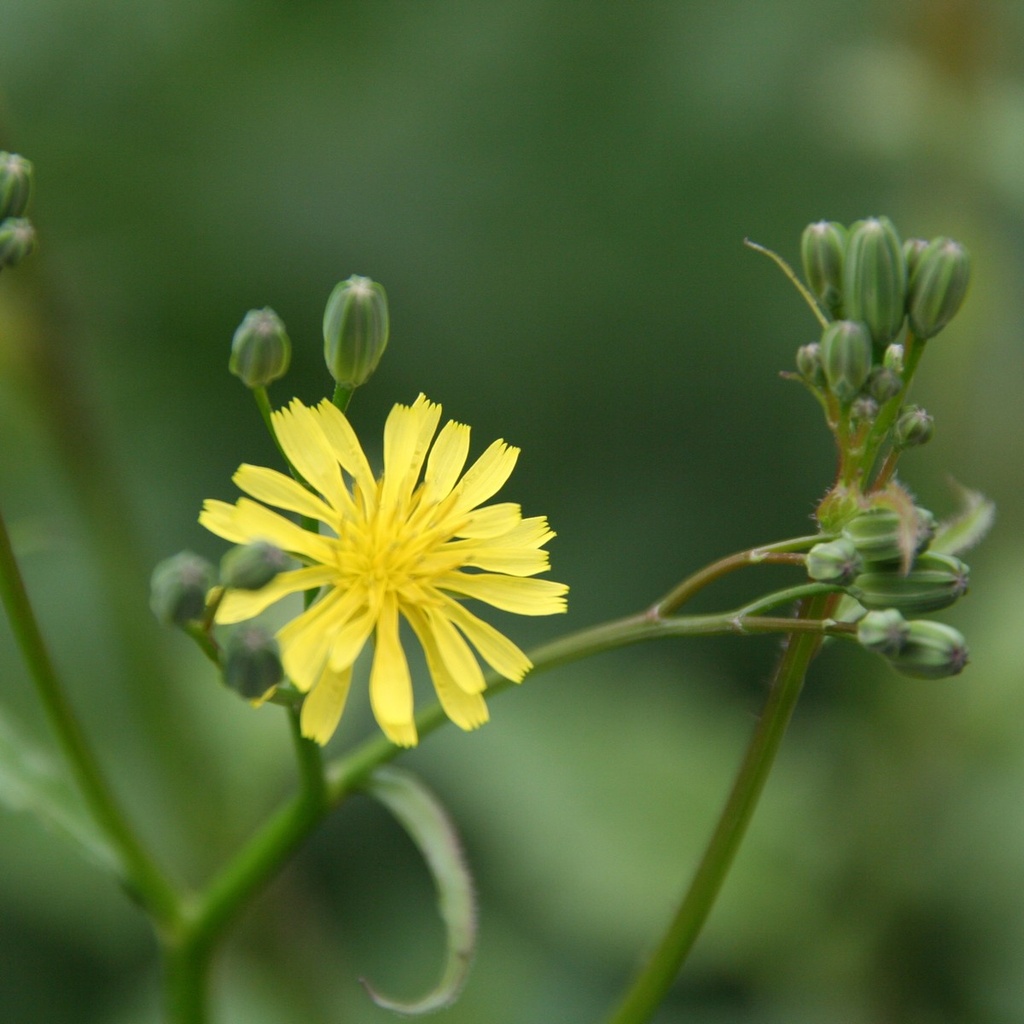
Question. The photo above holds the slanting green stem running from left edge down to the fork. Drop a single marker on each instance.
(141, 872)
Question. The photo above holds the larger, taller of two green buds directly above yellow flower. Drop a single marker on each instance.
(356, 330)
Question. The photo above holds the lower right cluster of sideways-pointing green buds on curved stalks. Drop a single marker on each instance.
(882, 562)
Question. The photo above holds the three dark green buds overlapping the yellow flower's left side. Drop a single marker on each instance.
(185, 591)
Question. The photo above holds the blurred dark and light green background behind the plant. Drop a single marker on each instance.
(556, 197)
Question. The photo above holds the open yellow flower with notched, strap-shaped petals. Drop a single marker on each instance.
(398, 547)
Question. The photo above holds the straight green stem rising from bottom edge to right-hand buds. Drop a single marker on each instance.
(658, 976)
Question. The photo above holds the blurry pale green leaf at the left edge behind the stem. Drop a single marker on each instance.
(31, 782)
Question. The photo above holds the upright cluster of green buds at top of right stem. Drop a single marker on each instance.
(877, 293)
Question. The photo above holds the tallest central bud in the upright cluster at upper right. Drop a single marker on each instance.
(875, 279)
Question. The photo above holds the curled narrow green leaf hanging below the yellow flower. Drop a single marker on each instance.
(429, 825)
